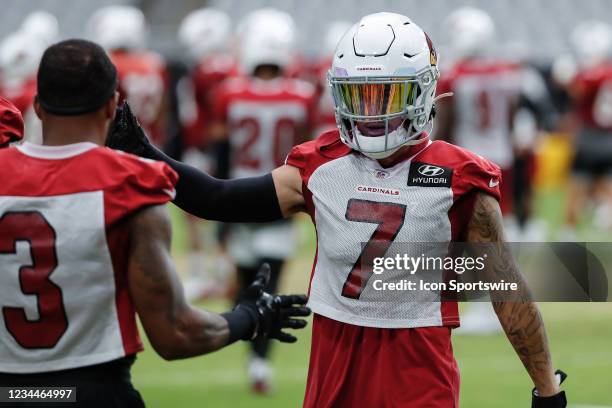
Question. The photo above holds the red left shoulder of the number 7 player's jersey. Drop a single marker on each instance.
(310, 155)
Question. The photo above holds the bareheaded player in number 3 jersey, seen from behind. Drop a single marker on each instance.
(84, 246)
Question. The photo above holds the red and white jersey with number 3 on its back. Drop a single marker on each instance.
(64, 253)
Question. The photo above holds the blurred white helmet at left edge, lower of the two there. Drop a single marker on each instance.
(19, 57)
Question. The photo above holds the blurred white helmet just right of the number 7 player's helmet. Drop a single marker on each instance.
(470, 32)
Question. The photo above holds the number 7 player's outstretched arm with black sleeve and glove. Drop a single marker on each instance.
(254, 199)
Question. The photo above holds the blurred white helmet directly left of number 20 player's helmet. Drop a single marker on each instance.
(205, 31)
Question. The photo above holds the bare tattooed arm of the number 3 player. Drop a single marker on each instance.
(174, 328)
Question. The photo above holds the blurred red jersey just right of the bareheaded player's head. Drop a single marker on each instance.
(143, 81)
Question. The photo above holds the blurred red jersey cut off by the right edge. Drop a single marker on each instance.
(592, 90)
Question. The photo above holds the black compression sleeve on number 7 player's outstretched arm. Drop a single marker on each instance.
(250, 199)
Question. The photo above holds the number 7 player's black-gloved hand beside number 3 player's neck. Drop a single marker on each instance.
(125, 133)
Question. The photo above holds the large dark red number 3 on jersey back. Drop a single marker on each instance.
(52, 323)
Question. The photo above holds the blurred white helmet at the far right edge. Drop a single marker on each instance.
(592, 41)
